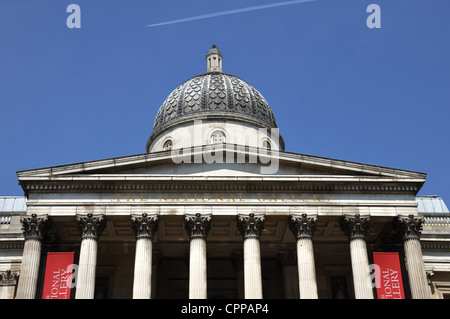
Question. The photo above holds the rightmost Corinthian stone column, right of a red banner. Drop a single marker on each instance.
(410, 228)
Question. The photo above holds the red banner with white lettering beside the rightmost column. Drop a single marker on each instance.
(388, 276)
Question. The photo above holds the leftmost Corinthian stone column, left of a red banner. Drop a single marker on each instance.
(34, 229)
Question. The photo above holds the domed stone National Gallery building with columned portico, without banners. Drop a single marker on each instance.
(216, 208)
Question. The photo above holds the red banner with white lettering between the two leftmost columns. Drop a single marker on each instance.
(58, 276)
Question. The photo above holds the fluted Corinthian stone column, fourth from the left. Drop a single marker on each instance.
(197, 227)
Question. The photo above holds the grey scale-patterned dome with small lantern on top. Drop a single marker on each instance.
(214, 96)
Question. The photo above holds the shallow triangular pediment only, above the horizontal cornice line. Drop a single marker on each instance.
(205, 161)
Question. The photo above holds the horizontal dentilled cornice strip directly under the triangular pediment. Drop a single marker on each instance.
(189, 183)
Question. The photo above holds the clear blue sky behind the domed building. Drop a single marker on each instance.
(338, 88)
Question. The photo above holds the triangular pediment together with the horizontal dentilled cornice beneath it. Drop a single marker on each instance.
(202, 166)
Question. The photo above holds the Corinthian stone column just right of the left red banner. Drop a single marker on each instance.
(90, 228)
